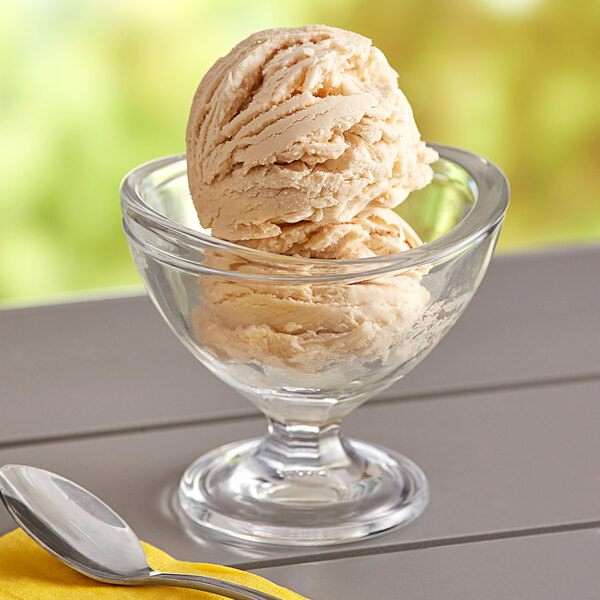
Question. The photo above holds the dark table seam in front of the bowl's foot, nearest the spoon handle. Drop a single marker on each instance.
(416, 545)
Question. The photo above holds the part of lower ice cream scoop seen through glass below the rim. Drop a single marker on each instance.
(307, 326)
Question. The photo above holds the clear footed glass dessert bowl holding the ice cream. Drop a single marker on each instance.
(308, 341)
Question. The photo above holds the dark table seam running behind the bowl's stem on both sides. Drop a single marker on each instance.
(253, 414)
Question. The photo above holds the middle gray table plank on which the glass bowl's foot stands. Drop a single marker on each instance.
(496, 462)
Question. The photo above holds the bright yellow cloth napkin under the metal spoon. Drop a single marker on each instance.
(27, 572)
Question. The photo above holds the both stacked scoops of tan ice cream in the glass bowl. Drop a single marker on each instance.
(300, 143)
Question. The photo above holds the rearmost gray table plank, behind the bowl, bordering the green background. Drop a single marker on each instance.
(110, 364)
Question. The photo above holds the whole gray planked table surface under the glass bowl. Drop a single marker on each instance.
(504, 417)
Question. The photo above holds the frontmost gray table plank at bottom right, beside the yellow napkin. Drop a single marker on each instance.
(560, 566)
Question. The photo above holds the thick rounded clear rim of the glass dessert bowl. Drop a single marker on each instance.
(491, 192)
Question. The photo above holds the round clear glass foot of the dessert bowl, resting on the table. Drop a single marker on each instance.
(233, 490)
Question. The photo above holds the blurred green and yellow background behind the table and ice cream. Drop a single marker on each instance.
(88, 90)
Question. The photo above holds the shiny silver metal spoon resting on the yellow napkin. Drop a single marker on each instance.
(80, 530)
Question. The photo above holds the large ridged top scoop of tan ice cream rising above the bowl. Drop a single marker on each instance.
(300, 124)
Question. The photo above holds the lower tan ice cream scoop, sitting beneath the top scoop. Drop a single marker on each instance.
(306, 326)
